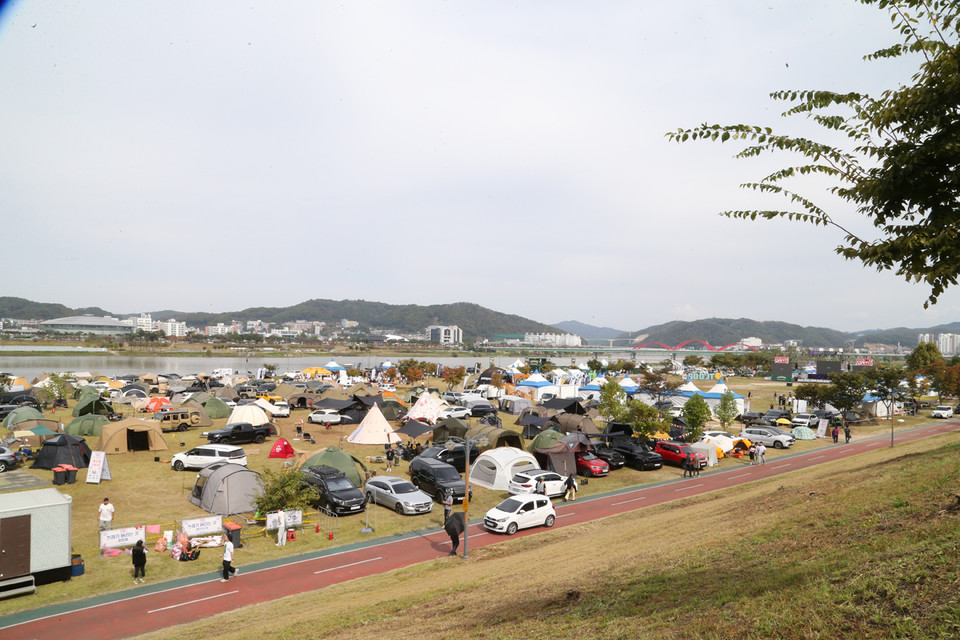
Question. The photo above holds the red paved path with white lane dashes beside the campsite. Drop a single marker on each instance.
(153, 607)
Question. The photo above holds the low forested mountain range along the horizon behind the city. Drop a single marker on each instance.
(479, 322)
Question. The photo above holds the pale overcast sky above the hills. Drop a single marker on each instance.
(214, 156)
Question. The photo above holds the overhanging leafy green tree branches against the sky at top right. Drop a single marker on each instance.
(901, 165)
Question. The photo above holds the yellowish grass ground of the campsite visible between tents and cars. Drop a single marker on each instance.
(148, 492)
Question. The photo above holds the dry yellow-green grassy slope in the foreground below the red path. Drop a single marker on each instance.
(860, 549)
